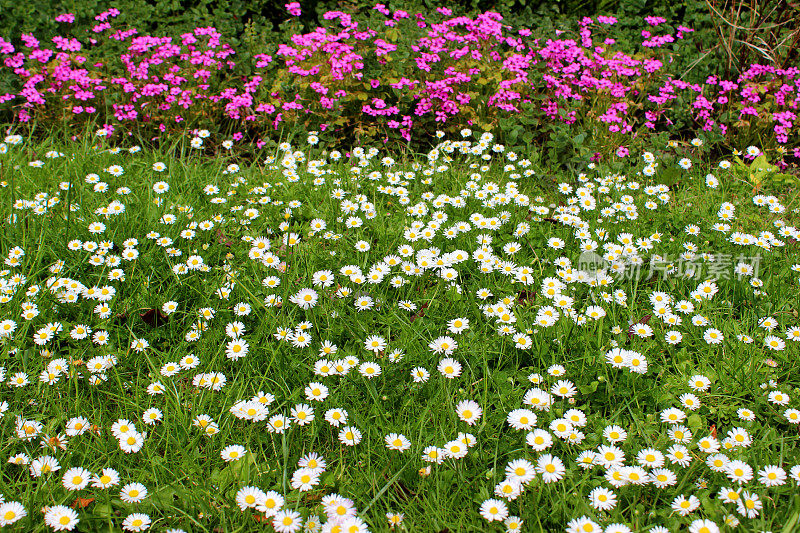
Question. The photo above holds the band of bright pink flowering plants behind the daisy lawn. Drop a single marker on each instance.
(397, 78)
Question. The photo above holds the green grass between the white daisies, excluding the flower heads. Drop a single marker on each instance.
(191, 487)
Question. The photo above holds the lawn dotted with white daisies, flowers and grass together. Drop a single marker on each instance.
(471, 339)
